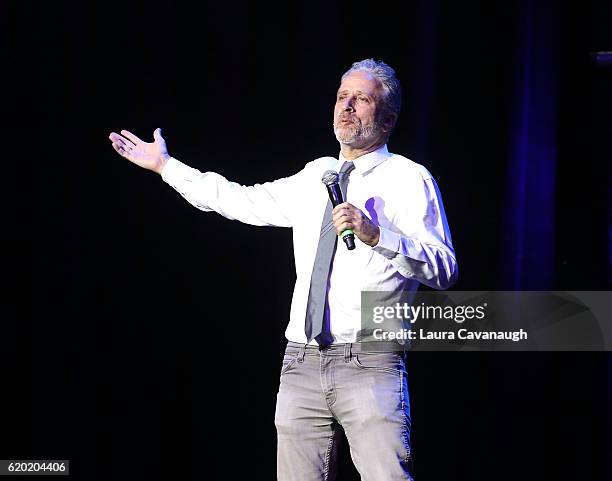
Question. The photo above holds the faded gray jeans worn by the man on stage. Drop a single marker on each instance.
(342, 387)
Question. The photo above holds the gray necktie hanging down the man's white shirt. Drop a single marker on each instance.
(317, 310)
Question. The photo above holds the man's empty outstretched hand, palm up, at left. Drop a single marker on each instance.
(148, 155)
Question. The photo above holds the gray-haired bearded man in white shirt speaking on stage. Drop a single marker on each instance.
(329, 380)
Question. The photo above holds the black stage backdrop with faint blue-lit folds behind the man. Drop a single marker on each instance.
(148, 335)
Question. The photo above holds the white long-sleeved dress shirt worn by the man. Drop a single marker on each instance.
(399, 195)
